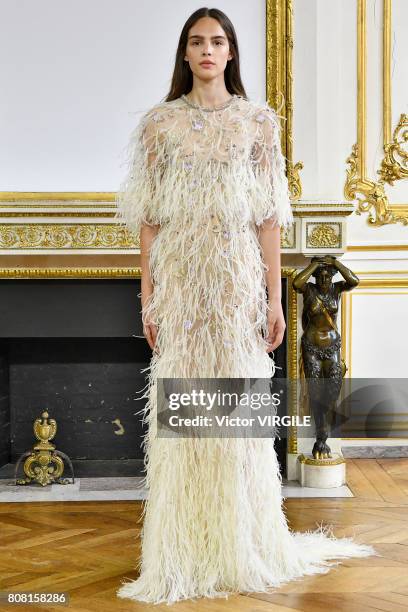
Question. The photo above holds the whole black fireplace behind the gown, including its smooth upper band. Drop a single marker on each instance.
(70, 346)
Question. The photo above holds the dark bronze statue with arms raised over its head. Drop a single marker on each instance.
(321, 341)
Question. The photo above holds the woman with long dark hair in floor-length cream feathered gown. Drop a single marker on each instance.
(207, 189)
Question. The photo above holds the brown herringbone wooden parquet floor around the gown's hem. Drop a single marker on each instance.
(86, 549)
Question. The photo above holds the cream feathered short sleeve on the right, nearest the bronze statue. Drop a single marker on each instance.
(271, 198)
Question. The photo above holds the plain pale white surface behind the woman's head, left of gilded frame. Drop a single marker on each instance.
(76, 75)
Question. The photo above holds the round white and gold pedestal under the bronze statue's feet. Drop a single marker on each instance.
(322, 473)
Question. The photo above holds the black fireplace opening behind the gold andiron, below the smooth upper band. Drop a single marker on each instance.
(89, 386)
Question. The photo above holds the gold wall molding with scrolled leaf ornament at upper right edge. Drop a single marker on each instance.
(370, 193)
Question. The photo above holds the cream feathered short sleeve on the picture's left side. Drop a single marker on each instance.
(138, 197)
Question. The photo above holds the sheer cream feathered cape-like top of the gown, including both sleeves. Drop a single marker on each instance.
(186, 164)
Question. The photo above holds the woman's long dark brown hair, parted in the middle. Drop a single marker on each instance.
(182, 80)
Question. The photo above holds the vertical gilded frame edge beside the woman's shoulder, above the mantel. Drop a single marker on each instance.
(279, 80)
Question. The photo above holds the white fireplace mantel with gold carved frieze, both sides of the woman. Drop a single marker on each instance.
(54, 224)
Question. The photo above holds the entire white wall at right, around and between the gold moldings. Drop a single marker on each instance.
(325, 101)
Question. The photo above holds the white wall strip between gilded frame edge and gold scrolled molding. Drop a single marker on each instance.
(325, 91)
